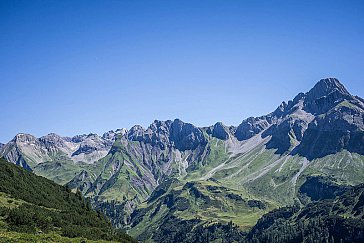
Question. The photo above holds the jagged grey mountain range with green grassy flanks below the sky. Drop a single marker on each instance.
(212, 179)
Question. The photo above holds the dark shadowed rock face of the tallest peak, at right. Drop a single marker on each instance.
(338, 122)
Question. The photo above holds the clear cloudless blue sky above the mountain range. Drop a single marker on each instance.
(74, 67)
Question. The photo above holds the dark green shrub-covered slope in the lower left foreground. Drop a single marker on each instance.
(34, 205)
